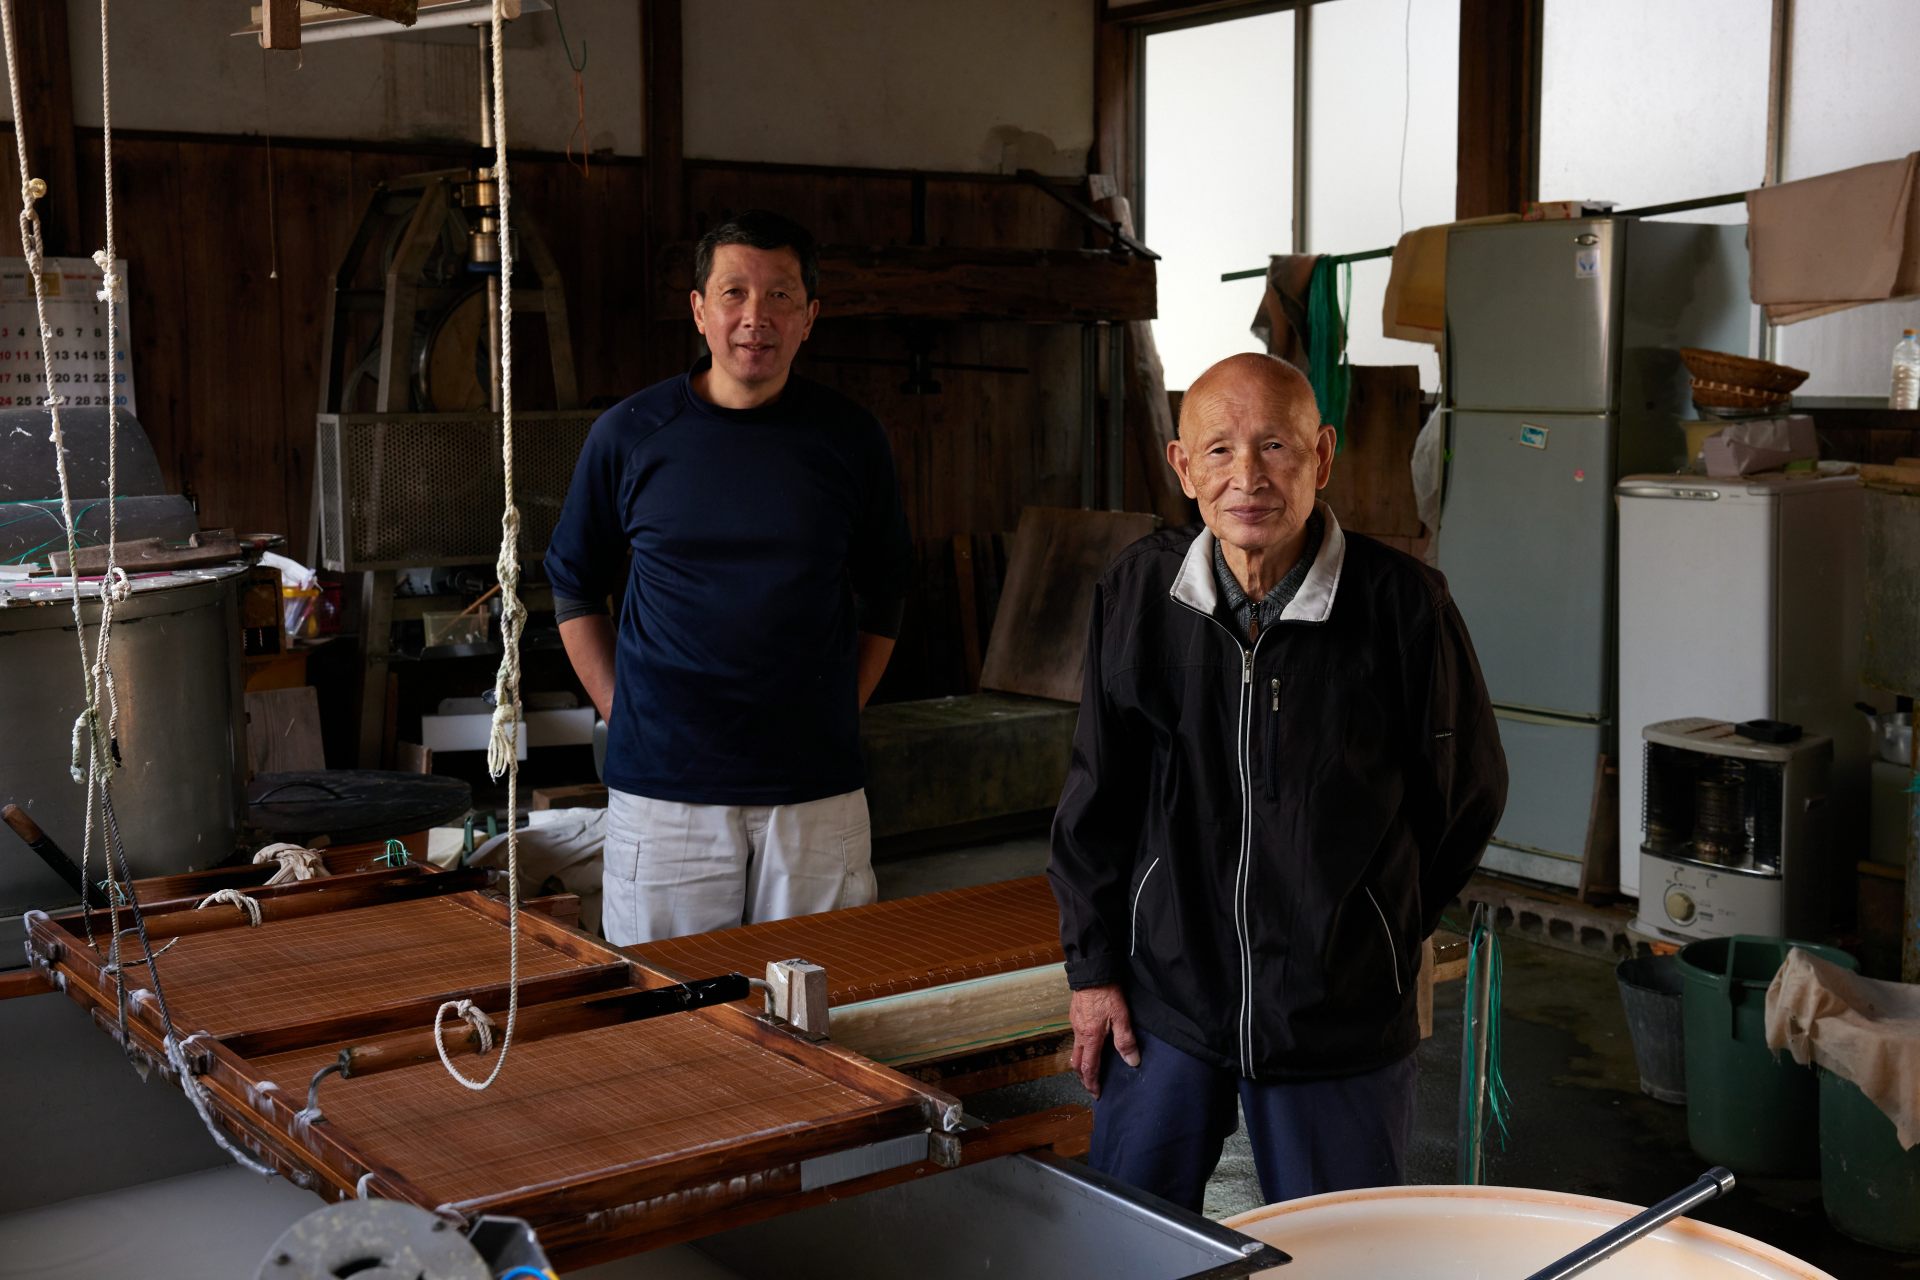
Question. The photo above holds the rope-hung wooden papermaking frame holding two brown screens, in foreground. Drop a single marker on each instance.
(610, 1139)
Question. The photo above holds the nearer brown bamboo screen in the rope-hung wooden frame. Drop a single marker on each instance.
(569, 1106)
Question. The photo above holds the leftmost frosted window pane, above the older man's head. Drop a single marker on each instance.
(1220, 179)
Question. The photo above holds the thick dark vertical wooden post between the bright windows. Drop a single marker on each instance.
(1499, 156)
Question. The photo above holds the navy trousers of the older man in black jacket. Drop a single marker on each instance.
(1163, 1126)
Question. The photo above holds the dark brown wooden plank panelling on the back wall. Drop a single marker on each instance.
(228, 356)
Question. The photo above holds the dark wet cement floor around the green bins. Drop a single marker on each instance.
(1579, 1122)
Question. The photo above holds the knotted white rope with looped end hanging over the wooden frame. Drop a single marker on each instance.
(502, 753)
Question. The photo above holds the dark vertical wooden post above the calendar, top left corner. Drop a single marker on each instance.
(47, 108)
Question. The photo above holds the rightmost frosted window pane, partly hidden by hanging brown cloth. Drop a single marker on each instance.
(1854, 99)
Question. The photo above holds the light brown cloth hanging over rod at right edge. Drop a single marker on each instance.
(1835, 243)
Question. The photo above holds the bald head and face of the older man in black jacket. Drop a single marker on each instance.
(1253, 454)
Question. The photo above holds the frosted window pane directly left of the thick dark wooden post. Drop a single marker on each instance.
(1381, 72)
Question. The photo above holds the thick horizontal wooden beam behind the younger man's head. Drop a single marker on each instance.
(938, 283)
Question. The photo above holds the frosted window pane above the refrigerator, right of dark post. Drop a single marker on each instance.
(1648, 101)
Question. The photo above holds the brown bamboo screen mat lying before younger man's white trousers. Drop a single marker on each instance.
(890, 947)
